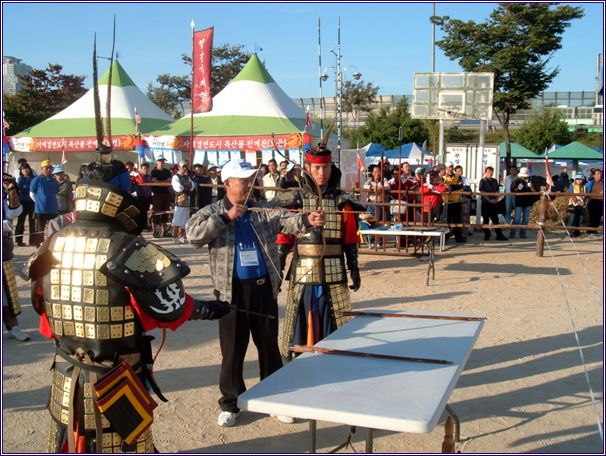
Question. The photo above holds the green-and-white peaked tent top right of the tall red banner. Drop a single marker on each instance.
(245, 114)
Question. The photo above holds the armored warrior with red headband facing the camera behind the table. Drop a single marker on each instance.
(318, 291)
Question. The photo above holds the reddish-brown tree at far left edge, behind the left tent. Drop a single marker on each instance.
(44, 94)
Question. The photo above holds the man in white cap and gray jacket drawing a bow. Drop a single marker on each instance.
(244, 263)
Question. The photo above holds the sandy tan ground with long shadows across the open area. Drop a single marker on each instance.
(524, 389)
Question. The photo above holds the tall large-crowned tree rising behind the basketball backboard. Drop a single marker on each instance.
(516, 44)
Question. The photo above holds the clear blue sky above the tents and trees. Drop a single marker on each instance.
(386, 42)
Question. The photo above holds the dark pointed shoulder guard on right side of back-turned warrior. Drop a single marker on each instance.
(142, 265)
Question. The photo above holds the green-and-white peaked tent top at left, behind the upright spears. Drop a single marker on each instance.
(75, 125)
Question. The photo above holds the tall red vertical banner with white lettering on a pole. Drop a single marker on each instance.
(201, 60)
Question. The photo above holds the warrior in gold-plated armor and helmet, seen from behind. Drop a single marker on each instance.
(99, 287)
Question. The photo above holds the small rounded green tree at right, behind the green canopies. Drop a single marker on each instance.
(543, 129)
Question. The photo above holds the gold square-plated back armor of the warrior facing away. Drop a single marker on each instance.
(80, 302)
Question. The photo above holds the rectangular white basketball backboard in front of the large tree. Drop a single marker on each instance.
(453, 96)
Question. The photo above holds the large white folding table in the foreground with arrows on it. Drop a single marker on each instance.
(373, 393)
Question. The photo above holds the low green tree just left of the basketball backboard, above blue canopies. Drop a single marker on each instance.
(383, 128)
